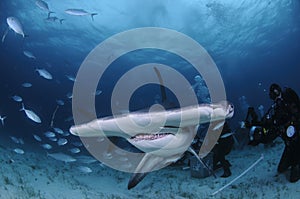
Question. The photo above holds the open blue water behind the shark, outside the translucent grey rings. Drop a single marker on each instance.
(253, 43)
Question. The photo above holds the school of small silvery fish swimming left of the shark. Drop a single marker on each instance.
(54, 139)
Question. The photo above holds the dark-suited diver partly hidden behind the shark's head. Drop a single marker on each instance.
(221, 149)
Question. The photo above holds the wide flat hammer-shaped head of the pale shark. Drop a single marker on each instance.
(121, 125)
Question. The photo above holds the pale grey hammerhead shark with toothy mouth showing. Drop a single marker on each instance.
(167, 138)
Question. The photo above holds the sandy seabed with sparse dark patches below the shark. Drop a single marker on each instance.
(36, 175)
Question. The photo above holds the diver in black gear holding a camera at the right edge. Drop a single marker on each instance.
(283, 120)
